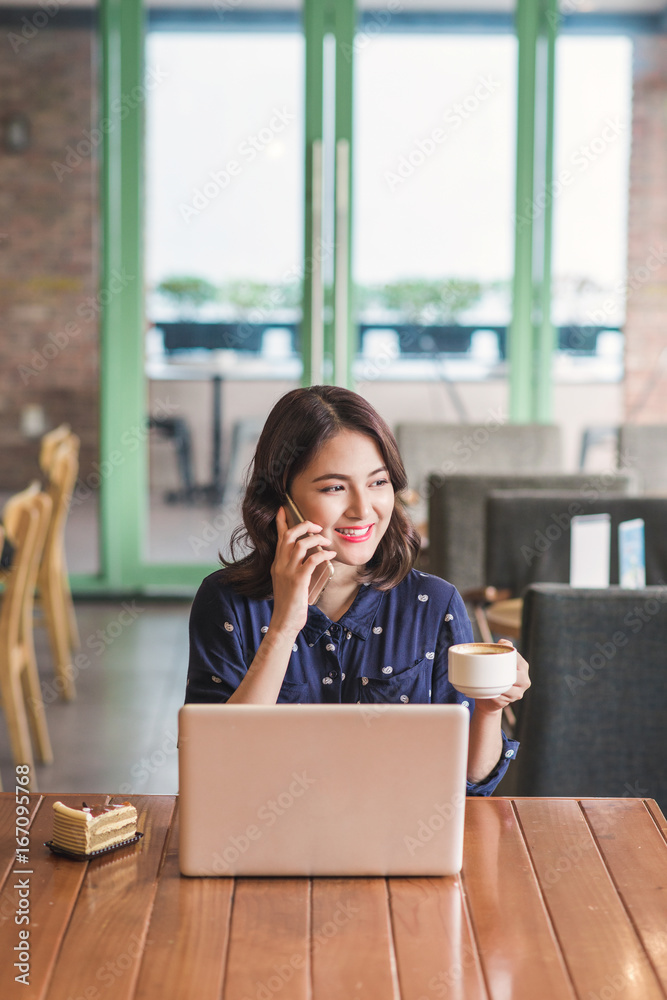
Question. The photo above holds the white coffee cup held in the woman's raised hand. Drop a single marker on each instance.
(482, 669)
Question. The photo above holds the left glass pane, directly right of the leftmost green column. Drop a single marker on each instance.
(224, 258)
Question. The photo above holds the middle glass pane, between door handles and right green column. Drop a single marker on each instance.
(434, 196)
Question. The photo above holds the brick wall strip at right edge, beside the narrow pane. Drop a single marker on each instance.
(646, 323)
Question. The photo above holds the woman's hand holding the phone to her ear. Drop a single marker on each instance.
(291, 575)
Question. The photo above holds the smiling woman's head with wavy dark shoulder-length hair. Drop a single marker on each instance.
(326, 447)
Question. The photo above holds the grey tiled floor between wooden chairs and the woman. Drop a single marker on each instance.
(119, 735)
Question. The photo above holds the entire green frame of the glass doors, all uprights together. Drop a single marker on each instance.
(123, 396)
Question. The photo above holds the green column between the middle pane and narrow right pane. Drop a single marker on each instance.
(531, 334)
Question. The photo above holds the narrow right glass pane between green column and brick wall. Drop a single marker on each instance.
(590, 208)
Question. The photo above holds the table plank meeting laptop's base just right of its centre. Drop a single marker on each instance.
(351, 940)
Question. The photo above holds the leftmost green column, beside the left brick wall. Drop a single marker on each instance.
(123, 404)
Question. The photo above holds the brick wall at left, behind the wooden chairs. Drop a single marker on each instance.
(48, 248)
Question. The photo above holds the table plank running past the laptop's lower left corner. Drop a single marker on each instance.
(186, 945)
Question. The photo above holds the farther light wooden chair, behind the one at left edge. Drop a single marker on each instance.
(54, 593)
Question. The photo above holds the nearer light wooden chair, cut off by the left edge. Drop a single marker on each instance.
(26, 518)
